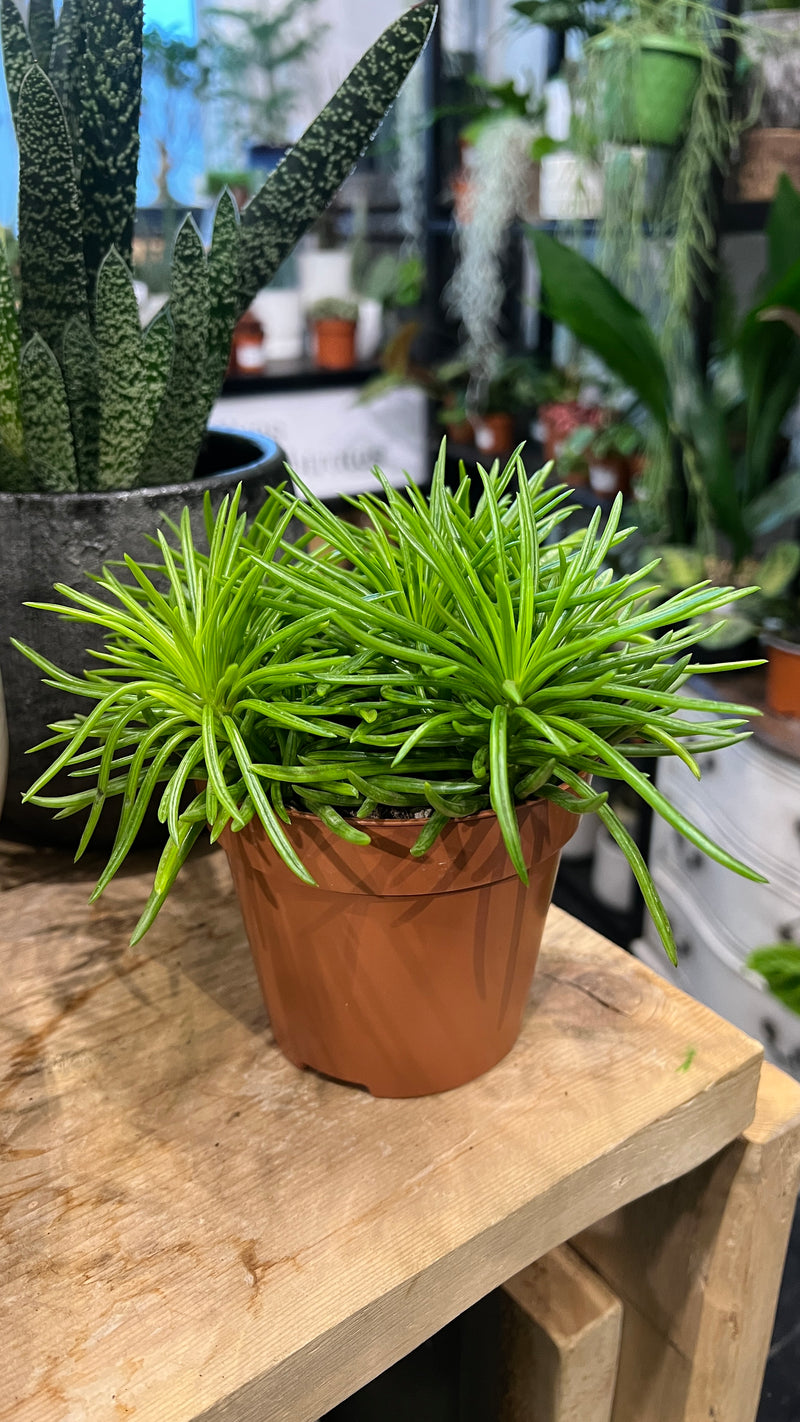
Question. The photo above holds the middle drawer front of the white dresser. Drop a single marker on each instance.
(747, 915)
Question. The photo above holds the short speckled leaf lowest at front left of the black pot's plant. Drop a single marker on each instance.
(46, 420)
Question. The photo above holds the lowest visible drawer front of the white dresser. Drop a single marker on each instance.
(710, 972)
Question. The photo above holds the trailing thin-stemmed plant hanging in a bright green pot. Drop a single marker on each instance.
(656, 89)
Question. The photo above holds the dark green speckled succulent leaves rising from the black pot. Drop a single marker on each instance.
(87, 399)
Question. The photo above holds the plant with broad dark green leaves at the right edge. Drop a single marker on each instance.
(717, 494)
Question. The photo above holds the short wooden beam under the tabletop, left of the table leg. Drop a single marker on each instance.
(561, 1343)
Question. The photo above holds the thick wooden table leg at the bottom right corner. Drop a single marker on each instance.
(698, 1268)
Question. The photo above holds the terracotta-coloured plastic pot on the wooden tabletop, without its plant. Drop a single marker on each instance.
(406, 976)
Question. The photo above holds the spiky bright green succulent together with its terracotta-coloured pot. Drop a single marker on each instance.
(391, 732)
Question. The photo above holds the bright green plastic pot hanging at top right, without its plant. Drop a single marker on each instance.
(654, 105)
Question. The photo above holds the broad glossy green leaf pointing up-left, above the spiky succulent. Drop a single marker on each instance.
(582, 298)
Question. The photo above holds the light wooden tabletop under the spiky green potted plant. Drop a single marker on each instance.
(191, 1228)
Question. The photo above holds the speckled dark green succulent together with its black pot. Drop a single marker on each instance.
(103, 424)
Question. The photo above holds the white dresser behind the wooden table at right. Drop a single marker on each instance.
(750, 803)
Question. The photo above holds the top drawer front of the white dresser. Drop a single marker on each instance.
(750, 800)
